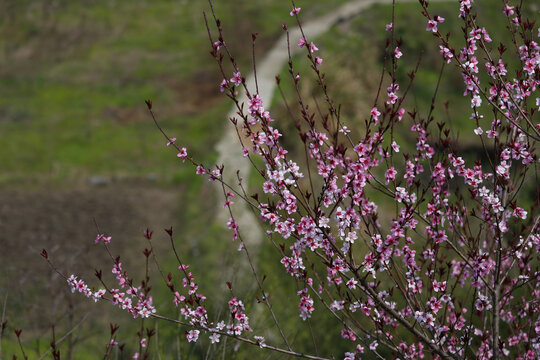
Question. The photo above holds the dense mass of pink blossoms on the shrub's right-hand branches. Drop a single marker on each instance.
(330, 219)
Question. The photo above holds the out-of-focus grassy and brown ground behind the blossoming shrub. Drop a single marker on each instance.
(78, 144)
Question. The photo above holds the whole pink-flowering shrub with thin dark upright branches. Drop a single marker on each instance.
(448, 270)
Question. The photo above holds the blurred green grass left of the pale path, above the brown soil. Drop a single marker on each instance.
(59, 101)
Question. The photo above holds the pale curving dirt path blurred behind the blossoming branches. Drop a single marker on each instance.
(229, 147)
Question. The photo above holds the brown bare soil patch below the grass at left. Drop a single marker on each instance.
(61, 221)
